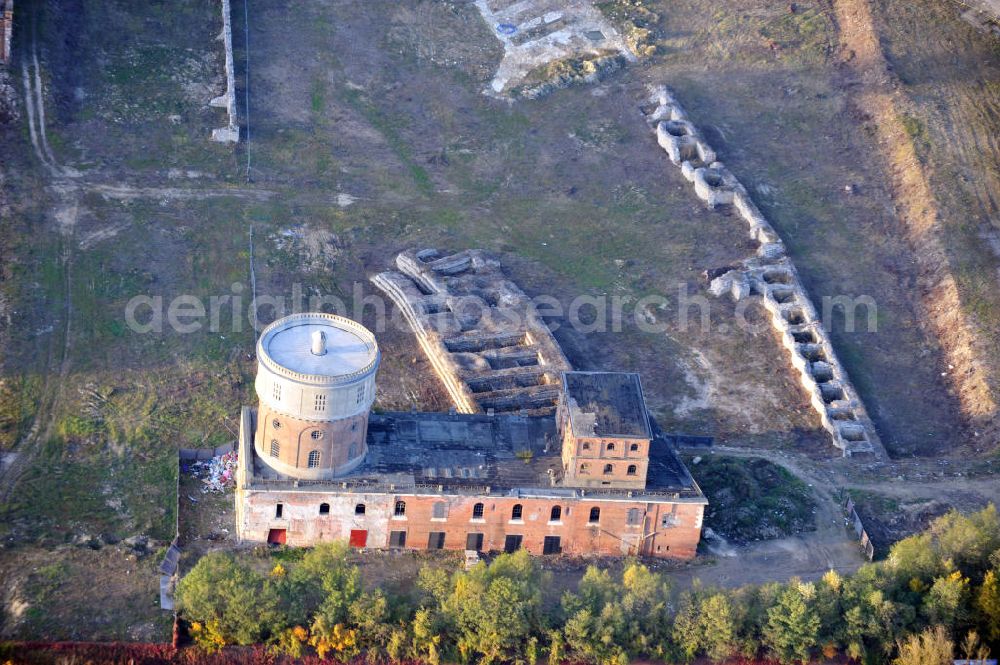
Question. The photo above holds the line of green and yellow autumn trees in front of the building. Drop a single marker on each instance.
(936, 596)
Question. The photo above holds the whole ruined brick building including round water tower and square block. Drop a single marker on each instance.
(597, 476)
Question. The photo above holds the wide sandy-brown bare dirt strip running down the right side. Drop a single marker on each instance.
(874, 90)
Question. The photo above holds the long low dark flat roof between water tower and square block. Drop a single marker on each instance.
(442, 452)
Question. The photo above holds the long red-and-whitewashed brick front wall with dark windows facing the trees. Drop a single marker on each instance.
(668, 529)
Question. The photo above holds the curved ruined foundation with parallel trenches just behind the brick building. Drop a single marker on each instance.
(485, 342)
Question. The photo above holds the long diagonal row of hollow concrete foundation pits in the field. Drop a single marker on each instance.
(772, 276)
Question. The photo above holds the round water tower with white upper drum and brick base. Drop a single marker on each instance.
(316, 385)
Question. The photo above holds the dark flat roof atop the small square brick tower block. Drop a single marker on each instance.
(606, 404)
